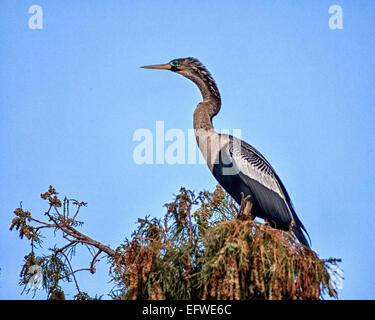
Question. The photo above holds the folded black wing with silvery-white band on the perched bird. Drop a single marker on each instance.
(255, 176)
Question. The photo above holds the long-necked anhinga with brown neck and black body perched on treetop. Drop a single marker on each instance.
(240, 169)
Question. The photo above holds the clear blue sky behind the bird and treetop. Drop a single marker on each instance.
(72, 95)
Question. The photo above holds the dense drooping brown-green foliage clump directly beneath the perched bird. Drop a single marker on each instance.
(208, 254)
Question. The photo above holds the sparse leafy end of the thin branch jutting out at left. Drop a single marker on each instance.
(55, 267)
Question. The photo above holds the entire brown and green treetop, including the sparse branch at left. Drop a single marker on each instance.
(199, 250)
